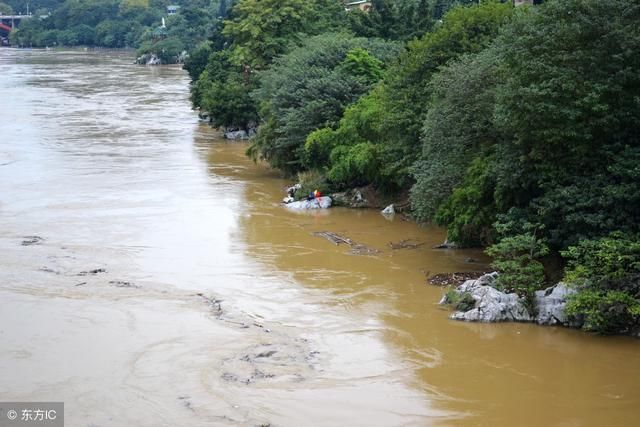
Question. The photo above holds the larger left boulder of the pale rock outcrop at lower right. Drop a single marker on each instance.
(489, 304)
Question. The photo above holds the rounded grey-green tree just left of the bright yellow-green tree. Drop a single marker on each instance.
(309, 88)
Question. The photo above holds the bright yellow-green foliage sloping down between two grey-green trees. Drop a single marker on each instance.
(380, 135)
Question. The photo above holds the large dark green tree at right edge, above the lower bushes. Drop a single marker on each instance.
(571, 103)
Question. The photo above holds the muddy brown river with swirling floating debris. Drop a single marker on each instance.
(149, 277)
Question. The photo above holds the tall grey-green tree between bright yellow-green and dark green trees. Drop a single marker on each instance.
(458, 127)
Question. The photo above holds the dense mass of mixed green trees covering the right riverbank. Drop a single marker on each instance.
(514, 128)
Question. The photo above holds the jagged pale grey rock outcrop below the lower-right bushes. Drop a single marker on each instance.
(491, 305)
